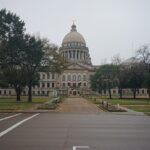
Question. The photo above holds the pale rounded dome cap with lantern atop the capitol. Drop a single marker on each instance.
(73, 36)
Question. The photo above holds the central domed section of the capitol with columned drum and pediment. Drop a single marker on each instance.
(75, 79)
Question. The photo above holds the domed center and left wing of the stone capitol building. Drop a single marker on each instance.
(75, 79)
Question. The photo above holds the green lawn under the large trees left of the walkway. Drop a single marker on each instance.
(10, 104)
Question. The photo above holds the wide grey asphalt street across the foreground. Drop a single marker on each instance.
(65, 131)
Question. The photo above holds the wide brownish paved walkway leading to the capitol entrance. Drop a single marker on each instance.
(79, 105)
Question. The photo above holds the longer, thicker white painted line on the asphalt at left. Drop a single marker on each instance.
(16, 125)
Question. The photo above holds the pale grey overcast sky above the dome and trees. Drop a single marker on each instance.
(108, 26)
